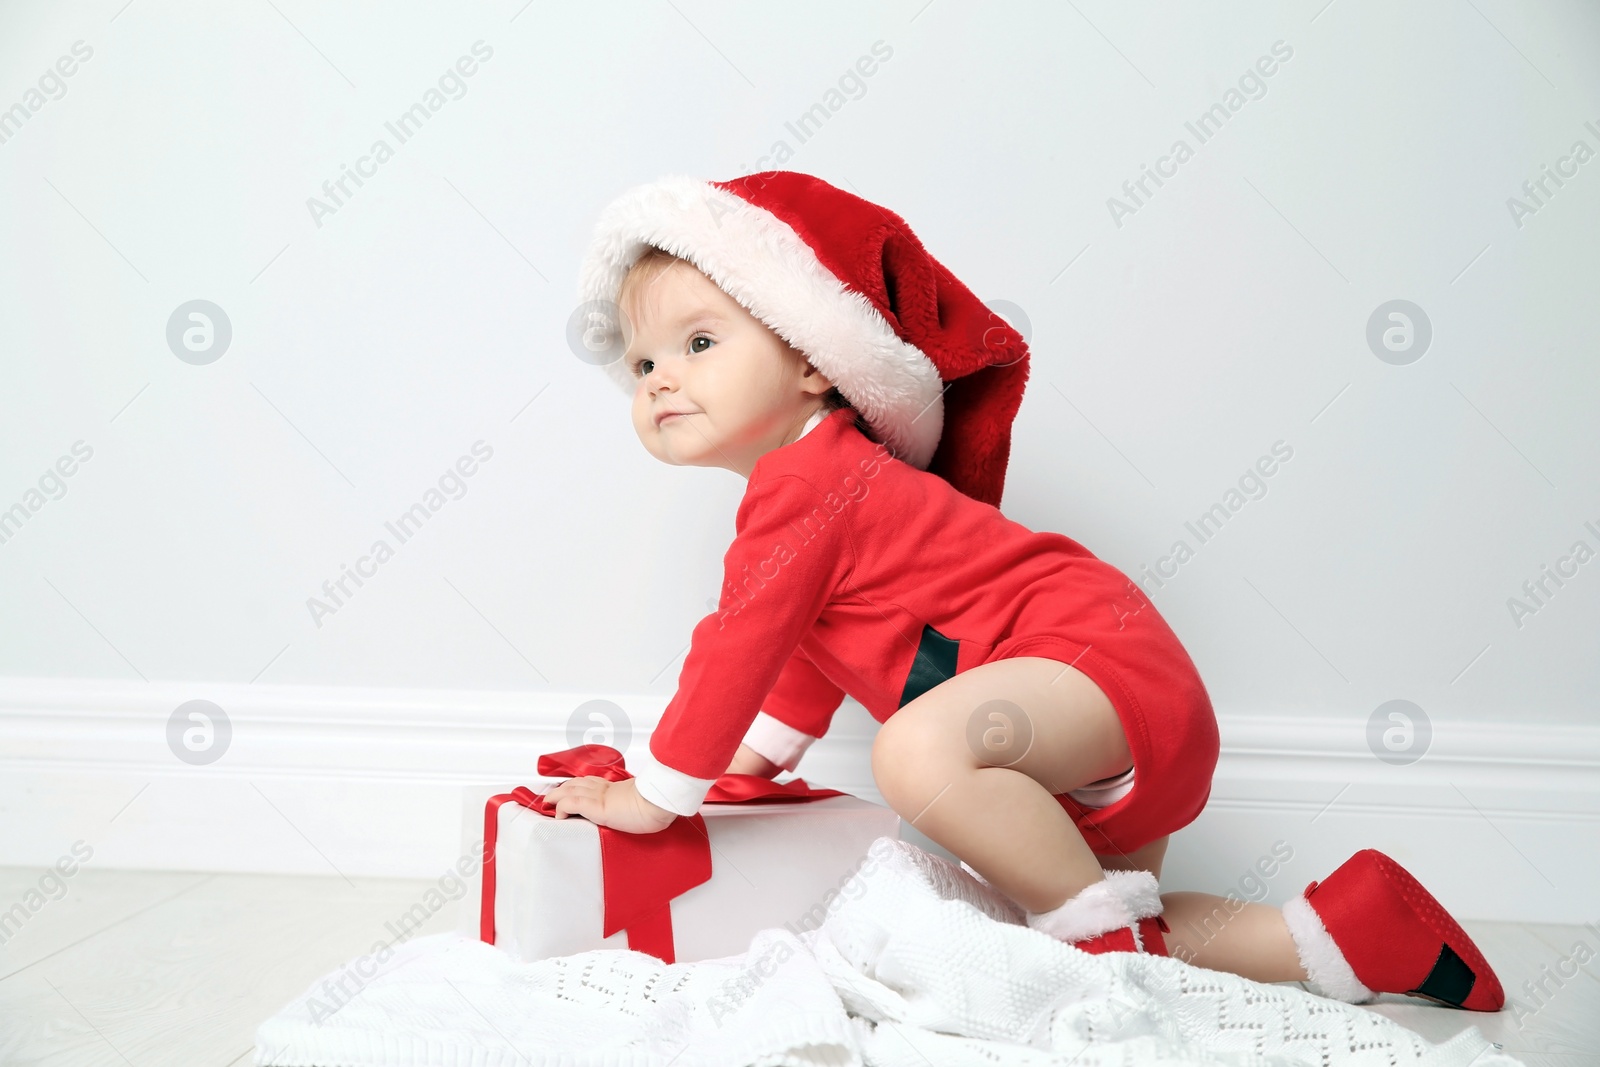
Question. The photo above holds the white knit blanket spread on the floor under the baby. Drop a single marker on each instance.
(916, 965)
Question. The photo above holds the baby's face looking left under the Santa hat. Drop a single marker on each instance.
(694, 350)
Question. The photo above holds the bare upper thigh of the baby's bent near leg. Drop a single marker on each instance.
(1031, 714)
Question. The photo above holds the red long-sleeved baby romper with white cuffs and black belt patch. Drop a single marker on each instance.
(854, 572)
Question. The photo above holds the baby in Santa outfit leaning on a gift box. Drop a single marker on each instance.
(1038, 716)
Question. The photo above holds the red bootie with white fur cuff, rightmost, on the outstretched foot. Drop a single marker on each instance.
(1372, 929)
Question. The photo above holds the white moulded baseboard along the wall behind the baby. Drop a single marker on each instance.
(1502, 821)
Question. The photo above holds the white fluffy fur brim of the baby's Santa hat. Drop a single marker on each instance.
(774, 274)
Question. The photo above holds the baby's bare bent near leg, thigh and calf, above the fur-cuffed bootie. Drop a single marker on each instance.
(975, 761)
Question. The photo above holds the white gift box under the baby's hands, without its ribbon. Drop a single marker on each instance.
(774, 865)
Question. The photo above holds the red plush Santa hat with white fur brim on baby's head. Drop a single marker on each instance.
(934, 372)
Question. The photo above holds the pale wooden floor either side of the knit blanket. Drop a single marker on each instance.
(156, 969)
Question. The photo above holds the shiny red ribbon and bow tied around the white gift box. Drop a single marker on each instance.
(641, 874)
